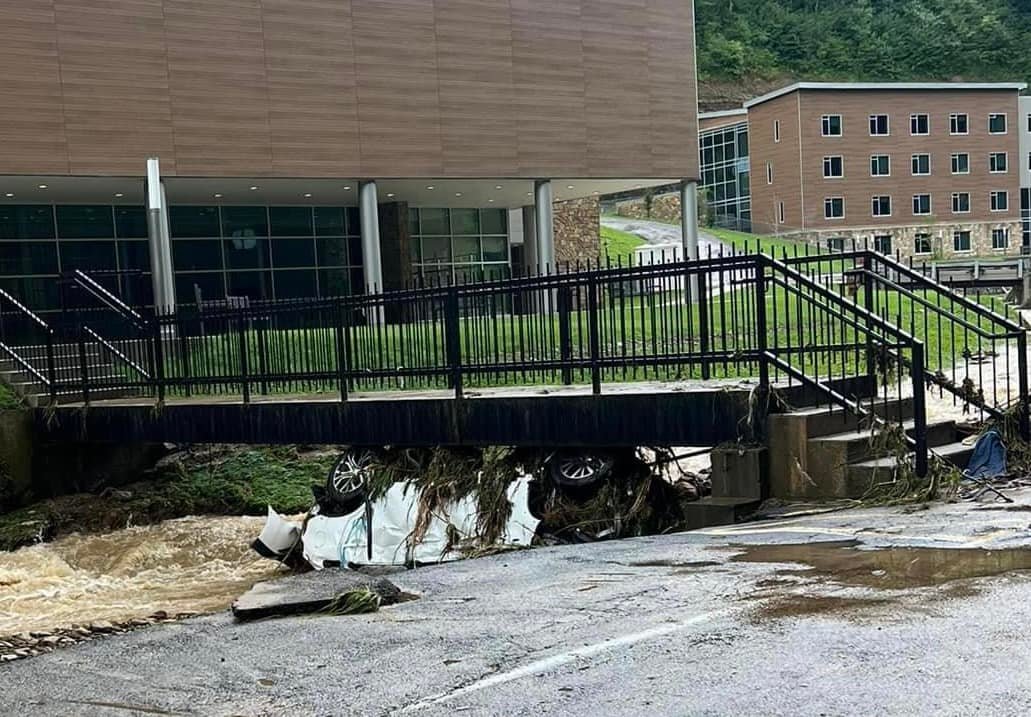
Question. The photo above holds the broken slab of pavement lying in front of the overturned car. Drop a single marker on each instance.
(309, 594)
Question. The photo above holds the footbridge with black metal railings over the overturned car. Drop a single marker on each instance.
(679, 353)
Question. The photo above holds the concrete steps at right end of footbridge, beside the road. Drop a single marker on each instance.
(822, 454)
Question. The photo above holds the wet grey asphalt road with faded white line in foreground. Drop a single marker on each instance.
(669, 626)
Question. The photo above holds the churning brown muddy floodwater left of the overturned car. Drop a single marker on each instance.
(185, 566)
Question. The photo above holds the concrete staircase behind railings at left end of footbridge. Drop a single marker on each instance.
(68, 365)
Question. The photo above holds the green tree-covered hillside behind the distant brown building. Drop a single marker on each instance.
(747, 47)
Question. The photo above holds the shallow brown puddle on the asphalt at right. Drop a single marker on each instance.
(893, 569)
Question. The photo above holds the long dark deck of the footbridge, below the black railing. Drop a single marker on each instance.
(682, 413)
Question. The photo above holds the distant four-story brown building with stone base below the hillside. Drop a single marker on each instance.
(933, 170)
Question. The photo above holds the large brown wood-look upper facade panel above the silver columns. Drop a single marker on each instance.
(359, 88)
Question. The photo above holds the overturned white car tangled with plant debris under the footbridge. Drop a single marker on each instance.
(410, 507)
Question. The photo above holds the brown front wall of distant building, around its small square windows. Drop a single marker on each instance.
(862, 182)
